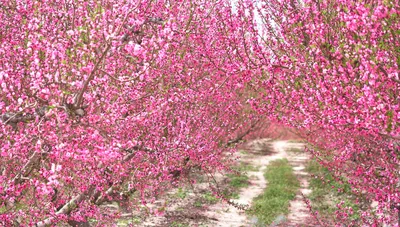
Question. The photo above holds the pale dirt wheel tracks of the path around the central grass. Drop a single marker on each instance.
(260, 153)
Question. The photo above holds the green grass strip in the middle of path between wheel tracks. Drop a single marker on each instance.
(282, 187)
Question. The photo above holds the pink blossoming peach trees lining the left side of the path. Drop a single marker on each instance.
(101, 99)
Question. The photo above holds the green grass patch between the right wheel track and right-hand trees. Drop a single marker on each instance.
(328, 192)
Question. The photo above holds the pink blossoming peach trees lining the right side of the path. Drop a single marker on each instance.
(331, 69)
